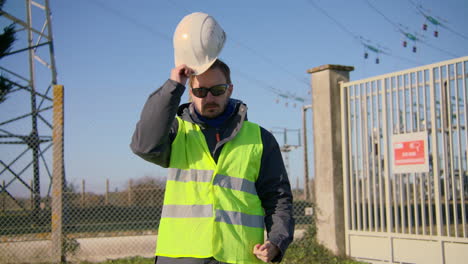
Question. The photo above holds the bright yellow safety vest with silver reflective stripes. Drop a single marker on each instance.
(212, 209)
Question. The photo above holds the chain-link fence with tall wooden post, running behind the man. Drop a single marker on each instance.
(43, 218)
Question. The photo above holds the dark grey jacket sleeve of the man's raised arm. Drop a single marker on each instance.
(157, 126)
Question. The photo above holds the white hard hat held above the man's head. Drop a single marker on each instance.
(198, 40)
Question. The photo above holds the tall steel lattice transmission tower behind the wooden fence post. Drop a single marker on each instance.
(26, 119)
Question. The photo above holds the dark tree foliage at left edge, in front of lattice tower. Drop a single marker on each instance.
(7, 38)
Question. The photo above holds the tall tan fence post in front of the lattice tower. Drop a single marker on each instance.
(58, 176)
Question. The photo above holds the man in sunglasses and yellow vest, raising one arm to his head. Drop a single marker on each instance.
(226, 181)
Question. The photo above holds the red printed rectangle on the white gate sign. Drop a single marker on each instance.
(409, 152)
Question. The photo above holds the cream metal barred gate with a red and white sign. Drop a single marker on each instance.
(405, 165)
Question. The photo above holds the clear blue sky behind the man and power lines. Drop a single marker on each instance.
(112, 54)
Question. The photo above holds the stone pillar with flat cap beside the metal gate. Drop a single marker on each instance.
(328, 154)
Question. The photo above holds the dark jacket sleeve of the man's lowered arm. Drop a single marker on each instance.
(274, 190)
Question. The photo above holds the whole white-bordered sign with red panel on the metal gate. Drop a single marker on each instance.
(410, 153)
